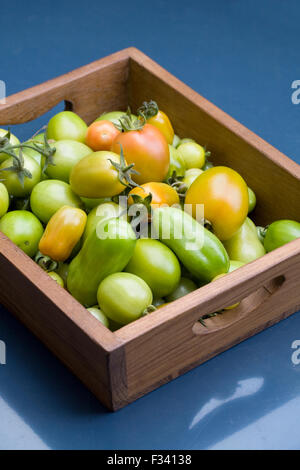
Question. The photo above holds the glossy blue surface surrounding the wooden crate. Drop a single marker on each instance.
(243, 56)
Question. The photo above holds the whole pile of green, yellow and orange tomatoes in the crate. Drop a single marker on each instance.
(126, 215)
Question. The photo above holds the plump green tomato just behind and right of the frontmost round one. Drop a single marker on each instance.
(157, 265)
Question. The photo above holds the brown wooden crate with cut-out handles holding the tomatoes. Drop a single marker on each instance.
(118, 367)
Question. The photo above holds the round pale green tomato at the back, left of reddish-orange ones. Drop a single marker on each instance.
(67, 125)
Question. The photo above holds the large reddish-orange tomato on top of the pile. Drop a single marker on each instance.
(148, 150)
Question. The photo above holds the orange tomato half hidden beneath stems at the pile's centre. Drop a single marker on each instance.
(161, 193)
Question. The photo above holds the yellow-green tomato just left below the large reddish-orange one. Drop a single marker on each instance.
(95, 177)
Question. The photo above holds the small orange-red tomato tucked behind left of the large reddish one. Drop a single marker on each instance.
(100, 135)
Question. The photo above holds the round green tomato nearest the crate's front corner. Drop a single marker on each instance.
(124, 297)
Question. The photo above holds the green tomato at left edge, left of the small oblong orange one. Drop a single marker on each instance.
(24, 229)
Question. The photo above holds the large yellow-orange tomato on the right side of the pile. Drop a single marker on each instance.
(224, 194)
